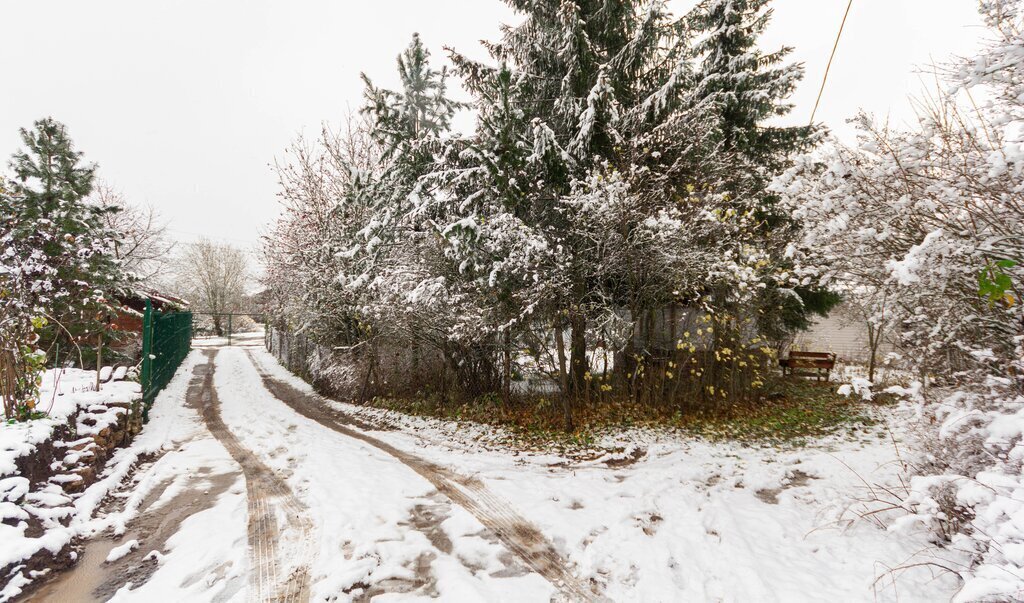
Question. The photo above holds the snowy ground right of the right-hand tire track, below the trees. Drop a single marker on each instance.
(700, 522)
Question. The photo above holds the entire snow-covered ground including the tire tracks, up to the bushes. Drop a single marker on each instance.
(307, 508)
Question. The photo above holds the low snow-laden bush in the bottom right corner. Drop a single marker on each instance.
(965, 485)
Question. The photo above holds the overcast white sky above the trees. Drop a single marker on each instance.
(185, 105)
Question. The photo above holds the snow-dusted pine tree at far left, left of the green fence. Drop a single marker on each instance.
(49, 197)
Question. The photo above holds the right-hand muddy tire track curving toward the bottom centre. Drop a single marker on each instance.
(519, 535)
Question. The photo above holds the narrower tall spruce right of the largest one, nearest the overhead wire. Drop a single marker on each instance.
(748, 89)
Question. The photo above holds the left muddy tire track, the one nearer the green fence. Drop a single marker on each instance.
(267, 494)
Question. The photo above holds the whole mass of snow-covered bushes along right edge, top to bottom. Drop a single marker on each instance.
(926, 228)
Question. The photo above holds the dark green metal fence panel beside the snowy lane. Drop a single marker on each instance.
(166, 340)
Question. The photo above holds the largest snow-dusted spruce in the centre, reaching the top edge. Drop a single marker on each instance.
(584, 91)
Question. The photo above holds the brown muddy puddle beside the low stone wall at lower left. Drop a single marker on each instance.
(95, 580)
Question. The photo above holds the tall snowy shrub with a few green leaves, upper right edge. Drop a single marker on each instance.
(928, 225)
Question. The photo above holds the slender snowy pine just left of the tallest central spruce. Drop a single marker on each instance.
(389, 250)
